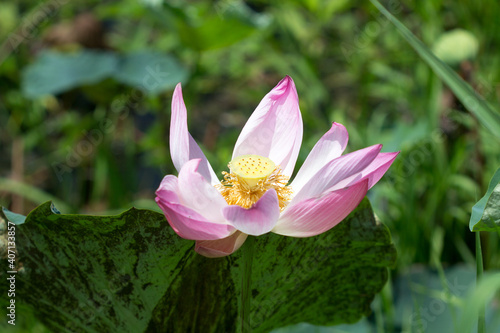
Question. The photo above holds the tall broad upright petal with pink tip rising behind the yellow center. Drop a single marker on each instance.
(274, 129)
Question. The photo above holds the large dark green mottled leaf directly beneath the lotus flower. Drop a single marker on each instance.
(132, 273)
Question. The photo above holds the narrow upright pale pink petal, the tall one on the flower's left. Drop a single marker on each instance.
(182, 145)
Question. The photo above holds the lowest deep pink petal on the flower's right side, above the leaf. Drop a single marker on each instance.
(314, 216)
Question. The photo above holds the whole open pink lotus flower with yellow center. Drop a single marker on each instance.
(255, 196)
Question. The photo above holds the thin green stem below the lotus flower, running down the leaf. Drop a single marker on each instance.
(246, 285)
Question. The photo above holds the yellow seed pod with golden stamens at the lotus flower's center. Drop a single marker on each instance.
(250, 177)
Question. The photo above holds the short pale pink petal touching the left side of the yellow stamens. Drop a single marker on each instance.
(197, 193)
